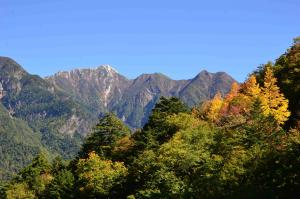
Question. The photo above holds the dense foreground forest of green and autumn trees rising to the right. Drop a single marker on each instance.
(243, 145)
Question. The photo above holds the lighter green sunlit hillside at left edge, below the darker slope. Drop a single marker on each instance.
(18, 144)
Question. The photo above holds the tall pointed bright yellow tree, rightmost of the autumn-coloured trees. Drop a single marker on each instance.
(273, 101)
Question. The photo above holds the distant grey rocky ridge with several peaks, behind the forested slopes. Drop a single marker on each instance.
(105, 90)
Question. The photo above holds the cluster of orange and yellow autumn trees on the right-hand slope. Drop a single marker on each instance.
(241, 98)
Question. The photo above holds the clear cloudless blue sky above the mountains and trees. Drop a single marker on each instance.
(177, 38)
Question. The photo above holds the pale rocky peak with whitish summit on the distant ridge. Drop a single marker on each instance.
(97, 87)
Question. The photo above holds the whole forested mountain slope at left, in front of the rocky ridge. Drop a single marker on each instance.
(35, 116)
